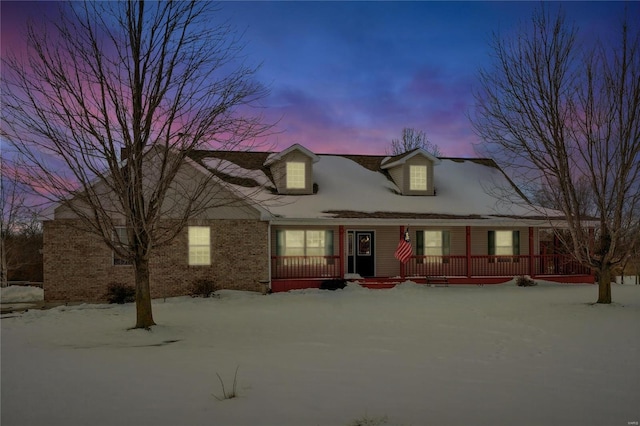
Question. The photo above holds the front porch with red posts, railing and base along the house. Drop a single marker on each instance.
(300, 272)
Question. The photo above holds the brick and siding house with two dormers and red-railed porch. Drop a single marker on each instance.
(304, 218)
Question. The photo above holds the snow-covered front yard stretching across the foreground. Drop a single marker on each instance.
(413, 355)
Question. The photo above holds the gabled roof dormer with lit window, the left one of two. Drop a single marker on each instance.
(292, 170)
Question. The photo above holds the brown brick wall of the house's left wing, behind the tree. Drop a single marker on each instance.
(78, 266)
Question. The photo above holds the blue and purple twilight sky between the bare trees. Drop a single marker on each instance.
(346, 77)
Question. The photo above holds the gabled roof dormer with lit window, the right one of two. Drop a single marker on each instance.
(412, 171)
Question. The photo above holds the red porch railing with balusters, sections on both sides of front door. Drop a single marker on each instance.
(451, 266)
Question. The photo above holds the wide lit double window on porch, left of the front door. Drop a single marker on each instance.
(311, 243)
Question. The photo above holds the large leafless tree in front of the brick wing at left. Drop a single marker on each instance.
(154, 81)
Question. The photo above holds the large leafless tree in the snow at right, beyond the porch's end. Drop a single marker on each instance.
(557, 115)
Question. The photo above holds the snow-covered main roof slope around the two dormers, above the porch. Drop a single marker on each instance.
(356, 188)
